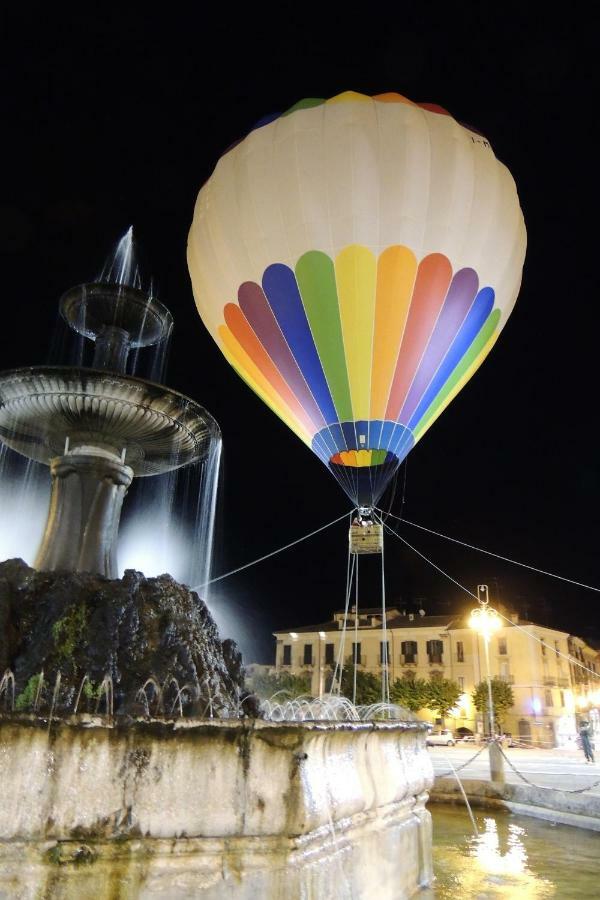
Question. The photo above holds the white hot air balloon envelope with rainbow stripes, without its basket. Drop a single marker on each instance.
(355, 259)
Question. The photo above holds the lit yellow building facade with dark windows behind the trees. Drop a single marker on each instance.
(552, 692)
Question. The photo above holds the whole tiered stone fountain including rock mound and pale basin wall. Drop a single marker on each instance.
(132, 763)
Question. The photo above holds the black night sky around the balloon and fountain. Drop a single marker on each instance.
(117, 115)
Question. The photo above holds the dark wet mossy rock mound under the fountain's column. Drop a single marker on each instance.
(78, 642)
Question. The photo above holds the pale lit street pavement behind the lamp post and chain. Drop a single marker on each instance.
(561, 769)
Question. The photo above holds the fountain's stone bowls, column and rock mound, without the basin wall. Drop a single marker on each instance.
(96, 428)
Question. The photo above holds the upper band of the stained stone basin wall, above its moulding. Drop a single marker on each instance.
(216, 778)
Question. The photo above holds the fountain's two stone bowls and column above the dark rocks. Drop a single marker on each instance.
(97, 428)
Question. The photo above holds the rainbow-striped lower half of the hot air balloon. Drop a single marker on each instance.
(322, 362)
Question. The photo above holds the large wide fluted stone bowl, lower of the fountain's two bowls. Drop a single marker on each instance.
(151, 428)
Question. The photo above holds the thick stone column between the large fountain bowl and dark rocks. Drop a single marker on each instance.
(88, 489)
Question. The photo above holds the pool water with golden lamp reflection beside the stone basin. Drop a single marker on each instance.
(513, 857)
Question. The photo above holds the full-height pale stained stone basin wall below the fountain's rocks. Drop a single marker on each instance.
(214, 809)
